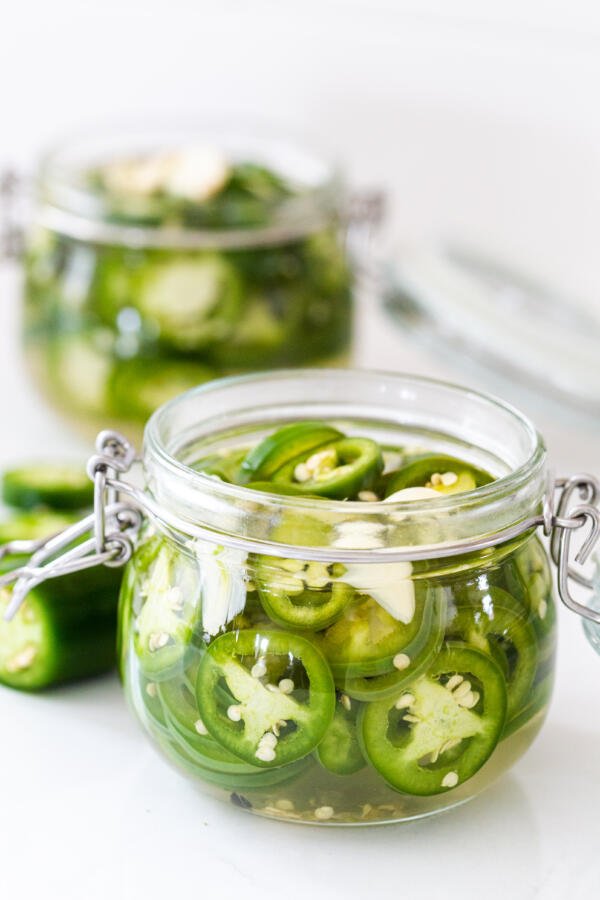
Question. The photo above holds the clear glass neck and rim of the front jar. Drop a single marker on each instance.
(201, 500)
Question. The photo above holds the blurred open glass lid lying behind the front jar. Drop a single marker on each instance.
(499, 320)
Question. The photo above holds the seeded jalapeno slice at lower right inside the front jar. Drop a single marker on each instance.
(439, 732)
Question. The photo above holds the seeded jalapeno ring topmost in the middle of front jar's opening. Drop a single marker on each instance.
(338, 470)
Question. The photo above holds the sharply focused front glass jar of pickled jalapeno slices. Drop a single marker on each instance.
(330, 661)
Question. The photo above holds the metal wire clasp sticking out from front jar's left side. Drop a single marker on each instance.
(105, 537)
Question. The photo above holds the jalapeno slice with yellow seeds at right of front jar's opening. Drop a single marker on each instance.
(445, 474)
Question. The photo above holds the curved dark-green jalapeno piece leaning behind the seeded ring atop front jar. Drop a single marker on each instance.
(284, 445)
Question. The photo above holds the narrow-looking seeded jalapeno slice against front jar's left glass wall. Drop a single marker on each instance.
(169, 596)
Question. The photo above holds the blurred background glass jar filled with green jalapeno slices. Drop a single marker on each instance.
(157, 262)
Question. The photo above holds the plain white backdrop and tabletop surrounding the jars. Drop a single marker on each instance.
(481, 121)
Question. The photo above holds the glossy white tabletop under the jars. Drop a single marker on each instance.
(88, 810)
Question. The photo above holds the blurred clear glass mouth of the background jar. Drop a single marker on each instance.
(70, 206)
